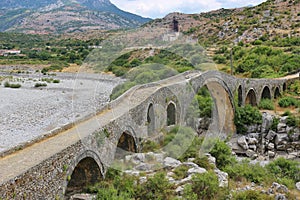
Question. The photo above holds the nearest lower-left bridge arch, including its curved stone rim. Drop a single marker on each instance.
(87, 170)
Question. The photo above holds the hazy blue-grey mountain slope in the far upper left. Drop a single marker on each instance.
(64, 16)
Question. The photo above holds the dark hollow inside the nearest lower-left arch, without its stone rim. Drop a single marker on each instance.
(87, 172)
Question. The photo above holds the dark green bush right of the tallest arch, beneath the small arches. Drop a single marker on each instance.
(247, 115)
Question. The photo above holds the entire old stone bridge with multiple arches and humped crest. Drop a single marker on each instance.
(80, 154)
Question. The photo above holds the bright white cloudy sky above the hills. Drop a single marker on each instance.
(160, 8)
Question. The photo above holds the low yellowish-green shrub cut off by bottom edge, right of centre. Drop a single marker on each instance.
(251, 194)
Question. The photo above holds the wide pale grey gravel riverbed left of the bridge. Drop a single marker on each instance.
(29, 112)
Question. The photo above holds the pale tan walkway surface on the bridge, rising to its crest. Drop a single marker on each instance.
(19, 162)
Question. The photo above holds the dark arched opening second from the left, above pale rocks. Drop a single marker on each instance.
(126, 144)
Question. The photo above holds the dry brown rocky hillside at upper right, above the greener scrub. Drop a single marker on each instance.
(273, 18)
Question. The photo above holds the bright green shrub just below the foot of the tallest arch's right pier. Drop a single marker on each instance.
(222, 152)
